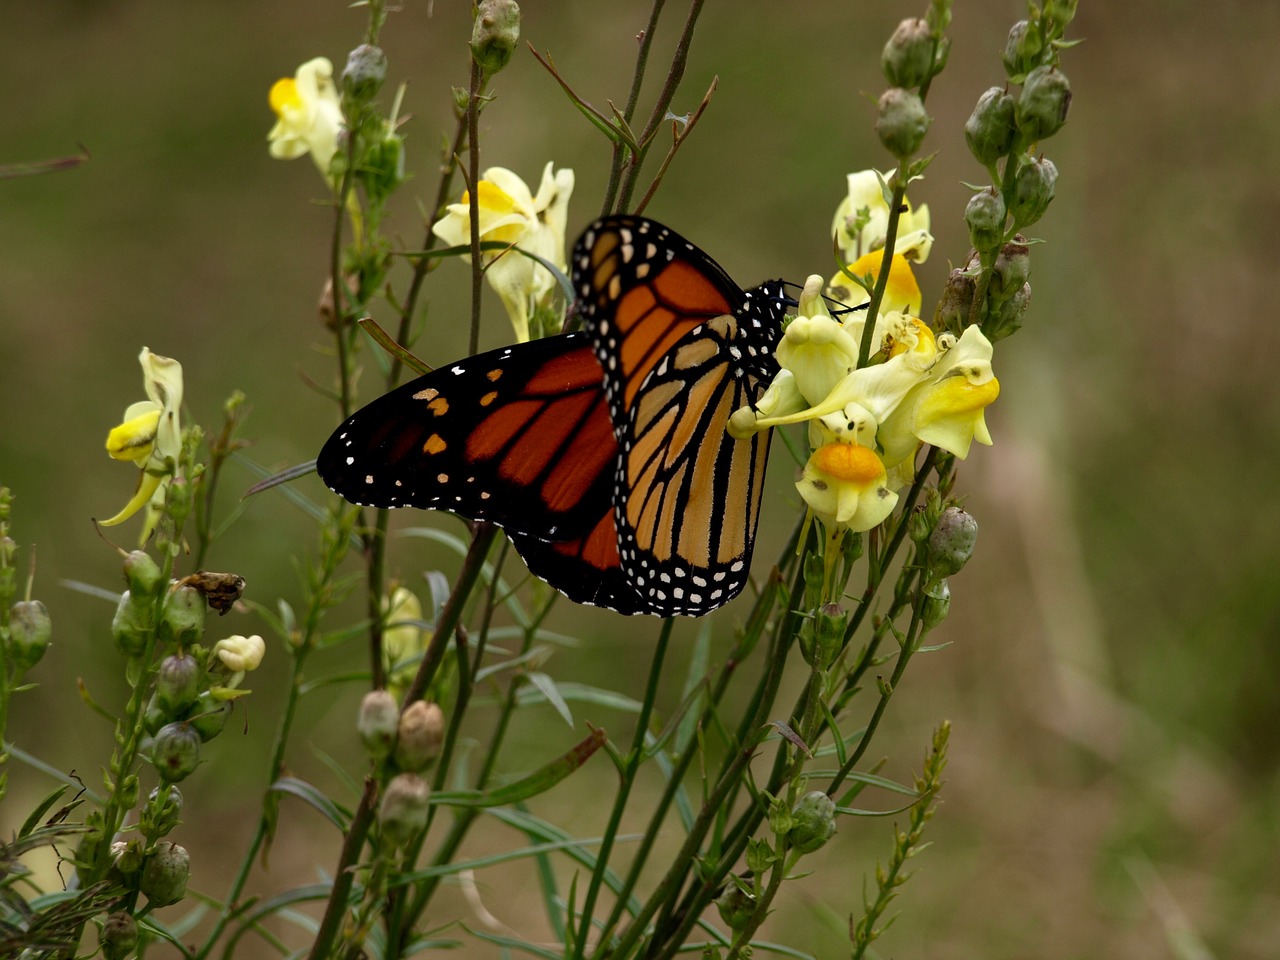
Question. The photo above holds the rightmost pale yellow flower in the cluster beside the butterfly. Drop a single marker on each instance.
(948, 409)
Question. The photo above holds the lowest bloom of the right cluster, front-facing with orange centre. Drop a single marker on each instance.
(845, 486)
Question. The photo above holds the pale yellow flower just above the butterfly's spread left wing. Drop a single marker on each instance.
(511, 214)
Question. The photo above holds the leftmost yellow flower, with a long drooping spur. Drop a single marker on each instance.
(150, 436)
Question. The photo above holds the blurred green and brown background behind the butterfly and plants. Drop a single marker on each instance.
(1114, 785)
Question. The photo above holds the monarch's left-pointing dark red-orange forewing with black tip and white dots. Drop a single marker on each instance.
(520, 437)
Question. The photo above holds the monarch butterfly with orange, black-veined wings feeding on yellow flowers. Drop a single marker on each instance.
(602, 454)
